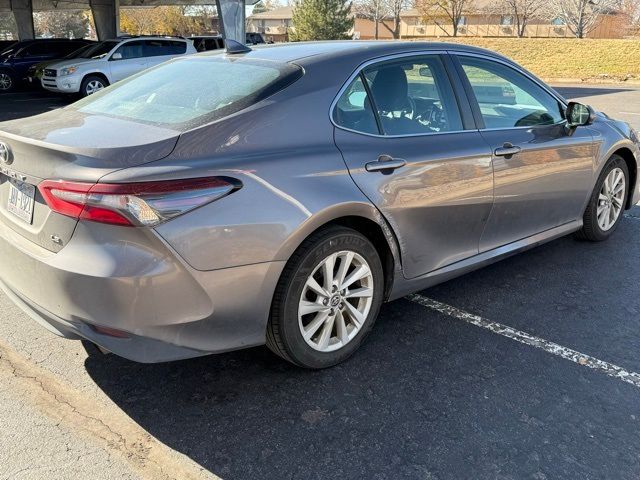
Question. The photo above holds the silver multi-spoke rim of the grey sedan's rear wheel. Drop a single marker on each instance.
(335, 301)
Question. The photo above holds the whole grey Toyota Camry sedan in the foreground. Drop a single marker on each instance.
(279, 196)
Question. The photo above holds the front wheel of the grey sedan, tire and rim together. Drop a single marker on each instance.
(607, 203)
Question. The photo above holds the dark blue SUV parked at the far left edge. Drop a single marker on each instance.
(16, 60)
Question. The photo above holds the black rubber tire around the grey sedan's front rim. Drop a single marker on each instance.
(591, 230)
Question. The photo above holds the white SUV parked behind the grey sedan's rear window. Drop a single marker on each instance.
(110, 61)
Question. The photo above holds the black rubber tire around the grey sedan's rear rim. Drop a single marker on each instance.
(284, 337)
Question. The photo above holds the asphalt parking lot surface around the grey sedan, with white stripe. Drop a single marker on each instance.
(435, 393)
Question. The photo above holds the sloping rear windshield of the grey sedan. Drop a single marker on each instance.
(188, 92)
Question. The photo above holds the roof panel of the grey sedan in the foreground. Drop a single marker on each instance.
(292, 52)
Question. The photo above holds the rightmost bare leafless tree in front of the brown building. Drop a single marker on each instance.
(581, 16)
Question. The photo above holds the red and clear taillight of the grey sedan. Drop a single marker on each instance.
(143, 204)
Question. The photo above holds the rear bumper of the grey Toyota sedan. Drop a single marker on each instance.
(128, 279)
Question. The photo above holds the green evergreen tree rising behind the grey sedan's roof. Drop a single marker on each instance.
(321, 20)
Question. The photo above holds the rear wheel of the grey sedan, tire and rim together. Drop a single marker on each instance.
(327, 299)
